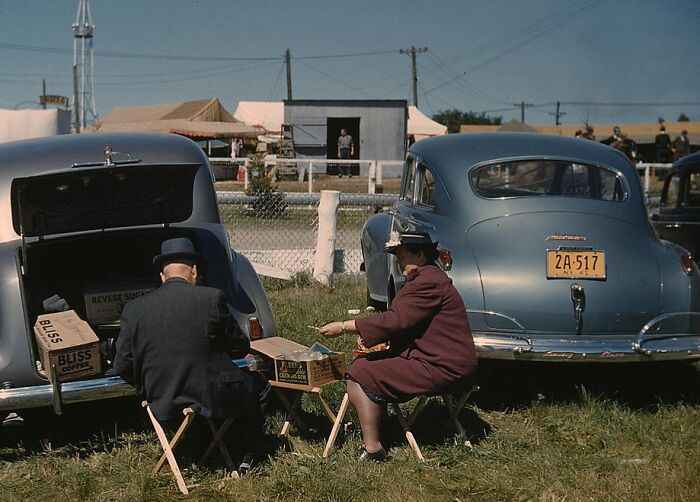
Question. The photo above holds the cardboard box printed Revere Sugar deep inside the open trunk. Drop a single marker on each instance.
(104, 303)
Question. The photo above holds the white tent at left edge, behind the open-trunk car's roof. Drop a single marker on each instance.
(25, 124)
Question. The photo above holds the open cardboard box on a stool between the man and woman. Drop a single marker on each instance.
(306, 372)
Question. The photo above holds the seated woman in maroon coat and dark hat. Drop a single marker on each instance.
(431, 347)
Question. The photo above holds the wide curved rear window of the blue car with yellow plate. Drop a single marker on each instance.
(546, 177)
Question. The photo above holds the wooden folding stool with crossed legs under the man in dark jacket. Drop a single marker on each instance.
(218, 434)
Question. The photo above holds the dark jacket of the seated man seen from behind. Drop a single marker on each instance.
(175, 346)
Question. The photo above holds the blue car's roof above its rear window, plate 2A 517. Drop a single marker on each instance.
(451, 155)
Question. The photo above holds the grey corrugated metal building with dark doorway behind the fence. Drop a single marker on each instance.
(378, 127)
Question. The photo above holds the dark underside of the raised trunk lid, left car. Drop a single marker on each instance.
(99, 198)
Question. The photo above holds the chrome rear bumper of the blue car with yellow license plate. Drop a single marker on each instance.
(667, 337)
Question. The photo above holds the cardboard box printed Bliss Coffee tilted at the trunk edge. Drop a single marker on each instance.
(66, 341)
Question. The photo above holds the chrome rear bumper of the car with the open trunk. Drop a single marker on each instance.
(70, 392)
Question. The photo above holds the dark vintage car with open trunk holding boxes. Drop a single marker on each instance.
(82, 217)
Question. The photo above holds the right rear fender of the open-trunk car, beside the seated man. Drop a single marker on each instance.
(250, 297)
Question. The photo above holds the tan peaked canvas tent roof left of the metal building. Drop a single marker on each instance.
(201, 119)
